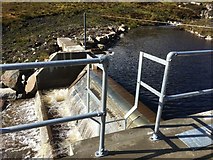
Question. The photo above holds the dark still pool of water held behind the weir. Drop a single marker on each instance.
(187, 73)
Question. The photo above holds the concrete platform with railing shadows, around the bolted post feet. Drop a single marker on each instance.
(135, 143)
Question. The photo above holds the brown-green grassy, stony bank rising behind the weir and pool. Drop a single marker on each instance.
(30, 30)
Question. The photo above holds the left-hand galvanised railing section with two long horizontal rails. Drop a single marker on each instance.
(102, 62)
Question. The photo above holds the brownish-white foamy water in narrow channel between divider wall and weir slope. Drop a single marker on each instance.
(65, 133)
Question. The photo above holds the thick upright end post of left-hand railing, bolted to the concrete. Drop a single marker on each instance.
(102, 152)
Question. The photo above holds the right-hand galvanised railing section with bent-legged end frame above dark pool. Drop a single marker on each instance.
(162, 94)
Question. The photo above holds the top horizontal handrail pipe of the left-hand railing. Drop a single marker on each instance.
(59, 63)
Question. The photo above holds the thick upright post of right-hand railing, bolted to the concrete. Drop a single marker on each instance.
(161, 101)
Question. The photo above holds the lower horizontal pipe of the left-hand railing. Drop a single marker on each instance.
(49, 122)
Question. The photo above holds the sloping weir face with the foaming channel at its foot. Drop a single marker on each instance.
(72, 101)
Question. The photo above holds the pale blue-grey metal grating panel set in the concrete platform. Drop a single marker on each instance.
(197, 138)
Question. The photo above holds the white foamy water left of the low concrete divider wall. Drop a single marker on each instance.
(22, 144)
